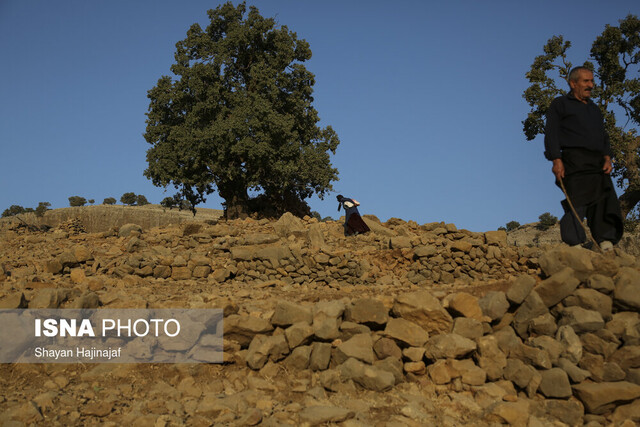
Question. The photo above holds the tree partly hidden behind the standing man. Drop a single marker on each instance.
(615, 56)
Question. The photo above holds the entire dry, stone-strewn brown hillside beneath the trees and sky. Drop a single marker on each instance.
(406, 325)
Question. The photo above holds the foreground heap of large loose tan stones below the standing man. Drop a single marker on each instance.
(567, 348)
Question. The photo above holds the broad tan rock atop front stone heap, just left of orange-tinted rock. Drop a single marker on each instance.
(425, 310)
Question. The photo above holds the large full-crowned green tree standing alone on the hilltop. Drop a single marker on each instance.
(238, 118)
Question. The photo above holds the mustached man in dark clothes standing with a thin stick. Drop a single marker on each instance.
(578, 145)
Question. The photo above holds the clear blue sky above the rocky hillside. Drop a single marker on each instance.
(426, 97)
